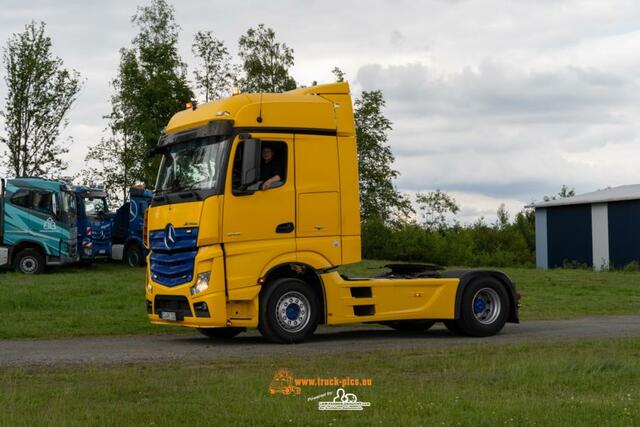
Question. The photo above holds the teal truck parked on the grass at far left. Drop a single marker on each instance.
(38, 224)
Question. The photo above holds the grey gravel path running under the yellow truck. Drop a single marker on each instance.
(328, 340)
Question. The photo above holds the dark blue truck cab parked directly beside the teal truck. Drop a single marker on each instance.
(94, 224)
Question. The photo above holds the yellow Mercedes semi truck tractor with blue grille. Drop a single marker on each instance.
(255, 207)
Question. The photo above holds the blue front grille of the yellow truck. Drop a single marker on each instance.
(172, 263)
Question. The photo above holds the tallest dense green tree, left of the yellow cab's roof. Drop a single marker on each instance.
(150, 87)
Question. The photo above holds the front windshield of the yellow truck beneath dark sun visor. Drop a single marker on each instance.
(193, 165)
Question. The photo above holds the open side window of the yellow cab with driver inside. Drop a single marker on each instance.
(273, 166)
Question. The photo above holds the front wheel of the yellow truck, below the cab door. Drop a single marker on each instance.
(289, 311)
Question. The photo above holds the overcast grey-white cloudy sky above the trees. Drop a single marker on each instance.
(496, 101)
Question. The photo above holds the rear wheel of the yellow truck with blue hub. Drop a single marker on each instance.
(485, 308)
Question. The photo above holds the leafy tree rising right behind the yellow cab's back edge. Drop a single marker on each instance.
(378, 196)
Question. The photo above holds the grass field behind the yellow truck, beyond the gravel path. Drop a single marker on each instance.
(108, 299)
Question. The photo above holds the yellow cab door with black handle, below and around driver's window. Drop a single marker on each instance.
(260, 226)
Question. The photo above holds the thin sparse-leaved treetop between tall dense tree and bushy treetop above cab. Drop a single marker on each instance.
(217, 75)
